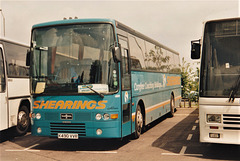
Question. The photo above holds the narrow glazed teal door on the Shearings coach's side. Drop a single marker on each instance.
(126, 87)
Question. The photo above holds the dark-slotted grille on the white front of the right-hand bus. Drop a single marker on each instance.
(231, 122)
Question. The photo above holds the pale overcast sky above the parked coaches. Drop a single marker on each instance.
(173, 23)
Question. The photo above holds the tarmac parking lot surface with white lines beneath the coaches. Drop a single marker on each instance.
(166, 139)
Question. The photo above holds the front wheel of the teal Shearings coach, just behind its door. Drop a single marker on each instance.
(138, 122)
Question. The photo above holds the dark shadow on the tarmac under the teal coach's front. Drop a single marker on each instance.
(44, 143)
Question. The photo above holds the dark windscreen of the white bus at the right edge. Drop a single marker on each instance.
(221, 59)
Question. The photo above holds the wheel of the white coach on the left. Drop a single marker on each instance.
(23, 120)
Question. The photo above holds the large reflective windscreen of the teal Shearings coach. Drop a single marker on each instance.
(68, 57)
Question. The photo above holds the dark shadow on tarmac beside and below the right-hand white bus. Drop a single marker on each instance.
(176, 138)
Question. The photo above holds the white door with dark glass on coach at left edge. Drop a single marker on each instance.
(3, 93)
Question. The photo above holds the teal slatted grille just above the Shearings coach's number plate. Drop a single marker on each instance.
(76, 128)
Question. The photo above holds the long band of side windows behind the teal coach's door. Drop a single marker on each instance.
(148, 56)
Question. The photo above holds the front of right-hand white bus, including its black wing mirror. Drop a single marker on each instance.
(219, 102)
